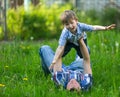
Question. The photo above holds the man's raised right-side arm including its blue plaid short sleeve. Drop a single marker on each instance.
(86, 82)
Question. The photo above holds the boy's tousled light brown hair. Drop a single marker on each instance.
(67, 15)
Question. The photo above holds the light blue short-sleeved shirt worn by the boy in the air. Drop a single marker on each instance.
(66, 35)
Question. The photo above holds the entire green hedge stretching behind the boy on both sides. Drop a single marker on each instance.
(42, 22)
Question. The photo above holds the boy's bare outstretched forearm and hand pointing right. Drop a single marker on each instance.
(98, 27)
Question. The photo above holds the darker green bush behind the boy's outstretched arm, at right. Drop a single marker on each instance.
(107, 16)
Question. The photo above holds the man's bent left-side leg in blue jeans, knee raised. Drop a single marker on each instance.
(46, 55)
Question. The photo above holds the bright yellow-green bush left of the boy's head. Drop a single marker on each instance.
(40, 22)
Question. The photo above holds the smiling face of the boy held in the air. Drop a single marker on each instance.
(71, 25)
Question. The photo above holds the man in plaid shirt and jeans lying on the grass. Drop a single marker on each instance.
(77, 75)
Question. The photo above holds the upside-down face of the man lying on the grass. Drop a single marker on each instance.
(73, 85)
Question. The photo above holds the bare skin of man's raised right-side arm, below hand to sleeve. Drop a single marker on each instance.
(86, 57)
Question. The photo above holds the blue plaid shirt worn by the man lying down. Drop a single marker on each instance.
(61, 78)
